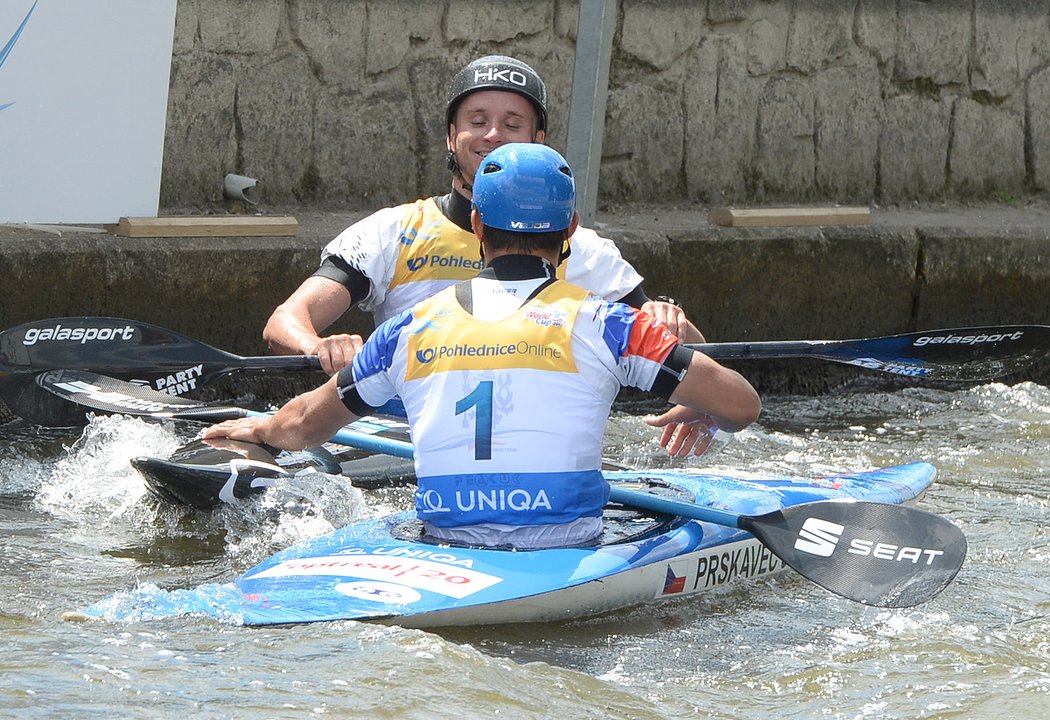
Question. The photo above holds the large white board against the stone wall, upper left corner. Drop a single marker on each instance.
(83, 100)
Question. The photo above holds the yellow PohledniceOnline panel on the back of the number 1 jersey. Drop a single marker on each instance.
(538, 336)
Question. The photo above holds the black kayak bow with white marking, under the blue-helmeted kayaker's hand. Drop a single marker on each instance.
(205, 475)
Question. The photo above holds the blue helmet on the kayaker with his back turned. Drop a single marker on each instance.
(526, 187)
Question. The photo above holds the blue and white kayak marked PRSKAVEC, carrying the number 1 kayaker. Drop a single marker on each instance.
(386, 570)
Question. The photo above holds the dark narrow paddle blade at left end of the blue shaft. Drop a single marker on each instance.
(116, 397)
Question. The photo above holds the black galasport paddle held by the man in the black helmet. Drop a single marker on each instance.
(165, 361)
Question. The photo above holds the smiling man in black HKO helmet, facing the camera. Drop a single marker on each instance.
(401, 256)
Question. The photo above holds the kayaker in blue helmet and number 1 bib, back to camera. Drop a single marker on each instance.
(509, 378)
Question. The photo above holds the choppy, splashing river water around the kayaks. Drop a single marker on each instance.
(76, 526)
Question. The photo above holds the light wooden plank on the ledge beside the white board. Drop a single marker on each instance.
(205, 226)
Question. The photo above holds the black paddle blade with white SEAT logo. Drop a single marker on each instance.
(878, 555)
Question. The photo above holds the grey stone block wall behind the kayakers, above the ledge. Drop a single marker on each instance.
(342, 102)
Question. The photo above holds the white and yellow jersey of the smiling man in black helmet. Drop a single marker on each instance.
(413, 251)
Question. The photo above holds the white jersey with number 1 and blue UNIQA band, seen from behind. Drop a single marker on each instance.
(509, 413)
